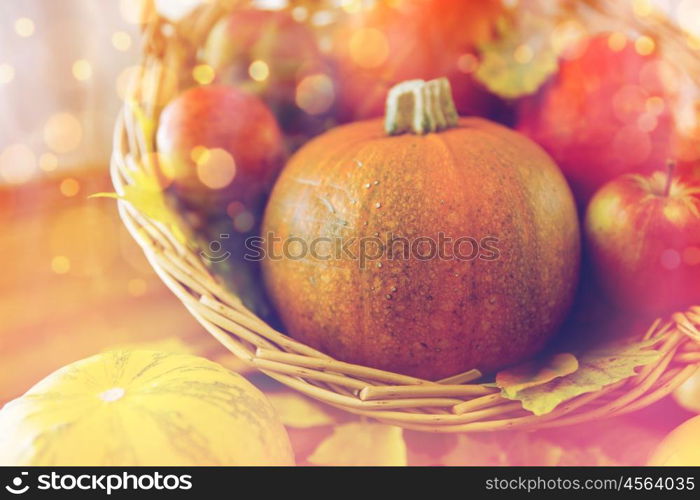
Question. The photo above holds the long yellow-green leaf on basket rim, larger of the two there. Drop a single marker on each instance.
(597, 368)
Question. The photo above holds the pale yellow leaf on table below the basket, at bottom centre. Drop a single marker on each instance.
(360, 443)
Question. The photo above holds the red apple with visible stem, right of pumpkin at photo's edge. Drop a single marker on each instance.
(643, 234)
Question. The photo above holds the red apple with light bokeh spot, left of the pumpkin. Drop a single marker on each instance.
(219, 145)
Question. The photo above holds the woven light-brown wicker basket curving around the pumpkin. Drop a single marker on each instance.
(450, 405)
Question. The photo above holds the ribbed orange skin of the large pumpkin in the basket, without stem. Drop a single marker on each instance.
(433, 318)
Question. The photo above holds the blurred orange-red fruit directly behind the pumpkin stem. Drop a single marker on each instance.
(393, 42)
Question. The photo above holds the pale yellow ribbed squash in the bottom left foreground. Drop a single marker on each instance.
(175, 409)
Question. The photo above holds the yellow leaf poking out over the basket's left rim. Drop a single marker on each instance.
(146, 195)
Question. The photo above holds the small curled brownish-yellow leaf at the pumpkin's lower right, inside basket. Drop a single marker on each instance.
(535, 373)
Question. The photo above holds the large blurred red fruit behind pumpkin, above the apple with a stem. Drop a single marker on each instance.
(606, 113)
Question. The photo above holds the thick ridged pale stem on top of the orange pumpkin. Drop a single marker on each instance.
(420, 107)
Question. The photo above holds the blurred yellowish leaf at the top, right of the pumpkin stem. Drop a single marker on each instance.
(521, 58)
